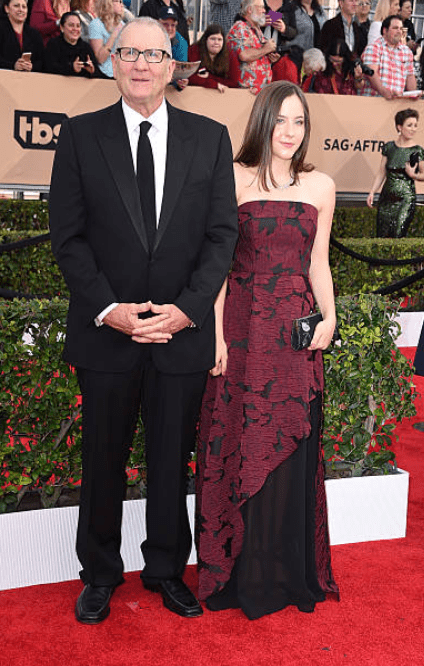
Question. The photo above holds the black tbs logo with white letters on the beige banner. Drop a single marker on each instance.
(38, 130)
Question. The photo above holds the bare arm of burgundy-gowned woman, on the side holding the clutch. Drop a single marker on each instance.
(319, 272)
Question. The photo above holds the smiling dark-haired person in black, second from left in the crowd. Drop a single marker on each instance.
(68, 54)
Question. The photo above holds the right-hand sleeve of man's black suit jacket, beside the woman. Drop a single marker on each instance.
(197, 299)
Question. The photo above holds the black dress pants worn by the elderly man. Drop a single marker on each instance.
(169, 406)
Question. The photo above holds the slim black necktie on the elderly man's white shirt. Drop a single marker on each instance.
(146, 182)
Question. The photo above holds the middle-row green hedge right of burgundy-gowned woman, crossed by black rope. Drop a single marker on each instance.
(352, 276)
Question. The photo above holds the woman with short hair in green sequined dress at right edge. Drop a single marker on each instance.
(396, 205)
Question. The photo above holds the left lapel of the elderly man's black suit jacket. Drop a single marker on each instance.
(114, 142)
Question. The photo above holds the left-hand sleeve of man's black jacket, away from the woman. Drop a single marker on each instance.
(68, 218)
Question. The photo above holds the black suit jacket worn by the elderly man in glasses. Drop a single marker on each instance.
(100, 243)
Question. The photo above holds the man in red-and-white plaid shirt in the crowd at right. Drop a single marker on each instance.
(391, 61)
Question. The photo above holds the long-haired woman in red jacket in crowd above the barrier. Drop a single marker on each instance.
(219, 66)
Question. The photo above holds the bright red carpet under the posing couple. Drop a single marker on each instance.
(379, 620)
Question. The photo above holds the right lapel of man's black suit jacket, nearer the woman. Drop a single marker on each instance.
(178, 158)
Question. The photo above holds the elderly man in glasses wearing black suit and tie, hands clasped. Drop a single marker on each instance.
(143, 226)
